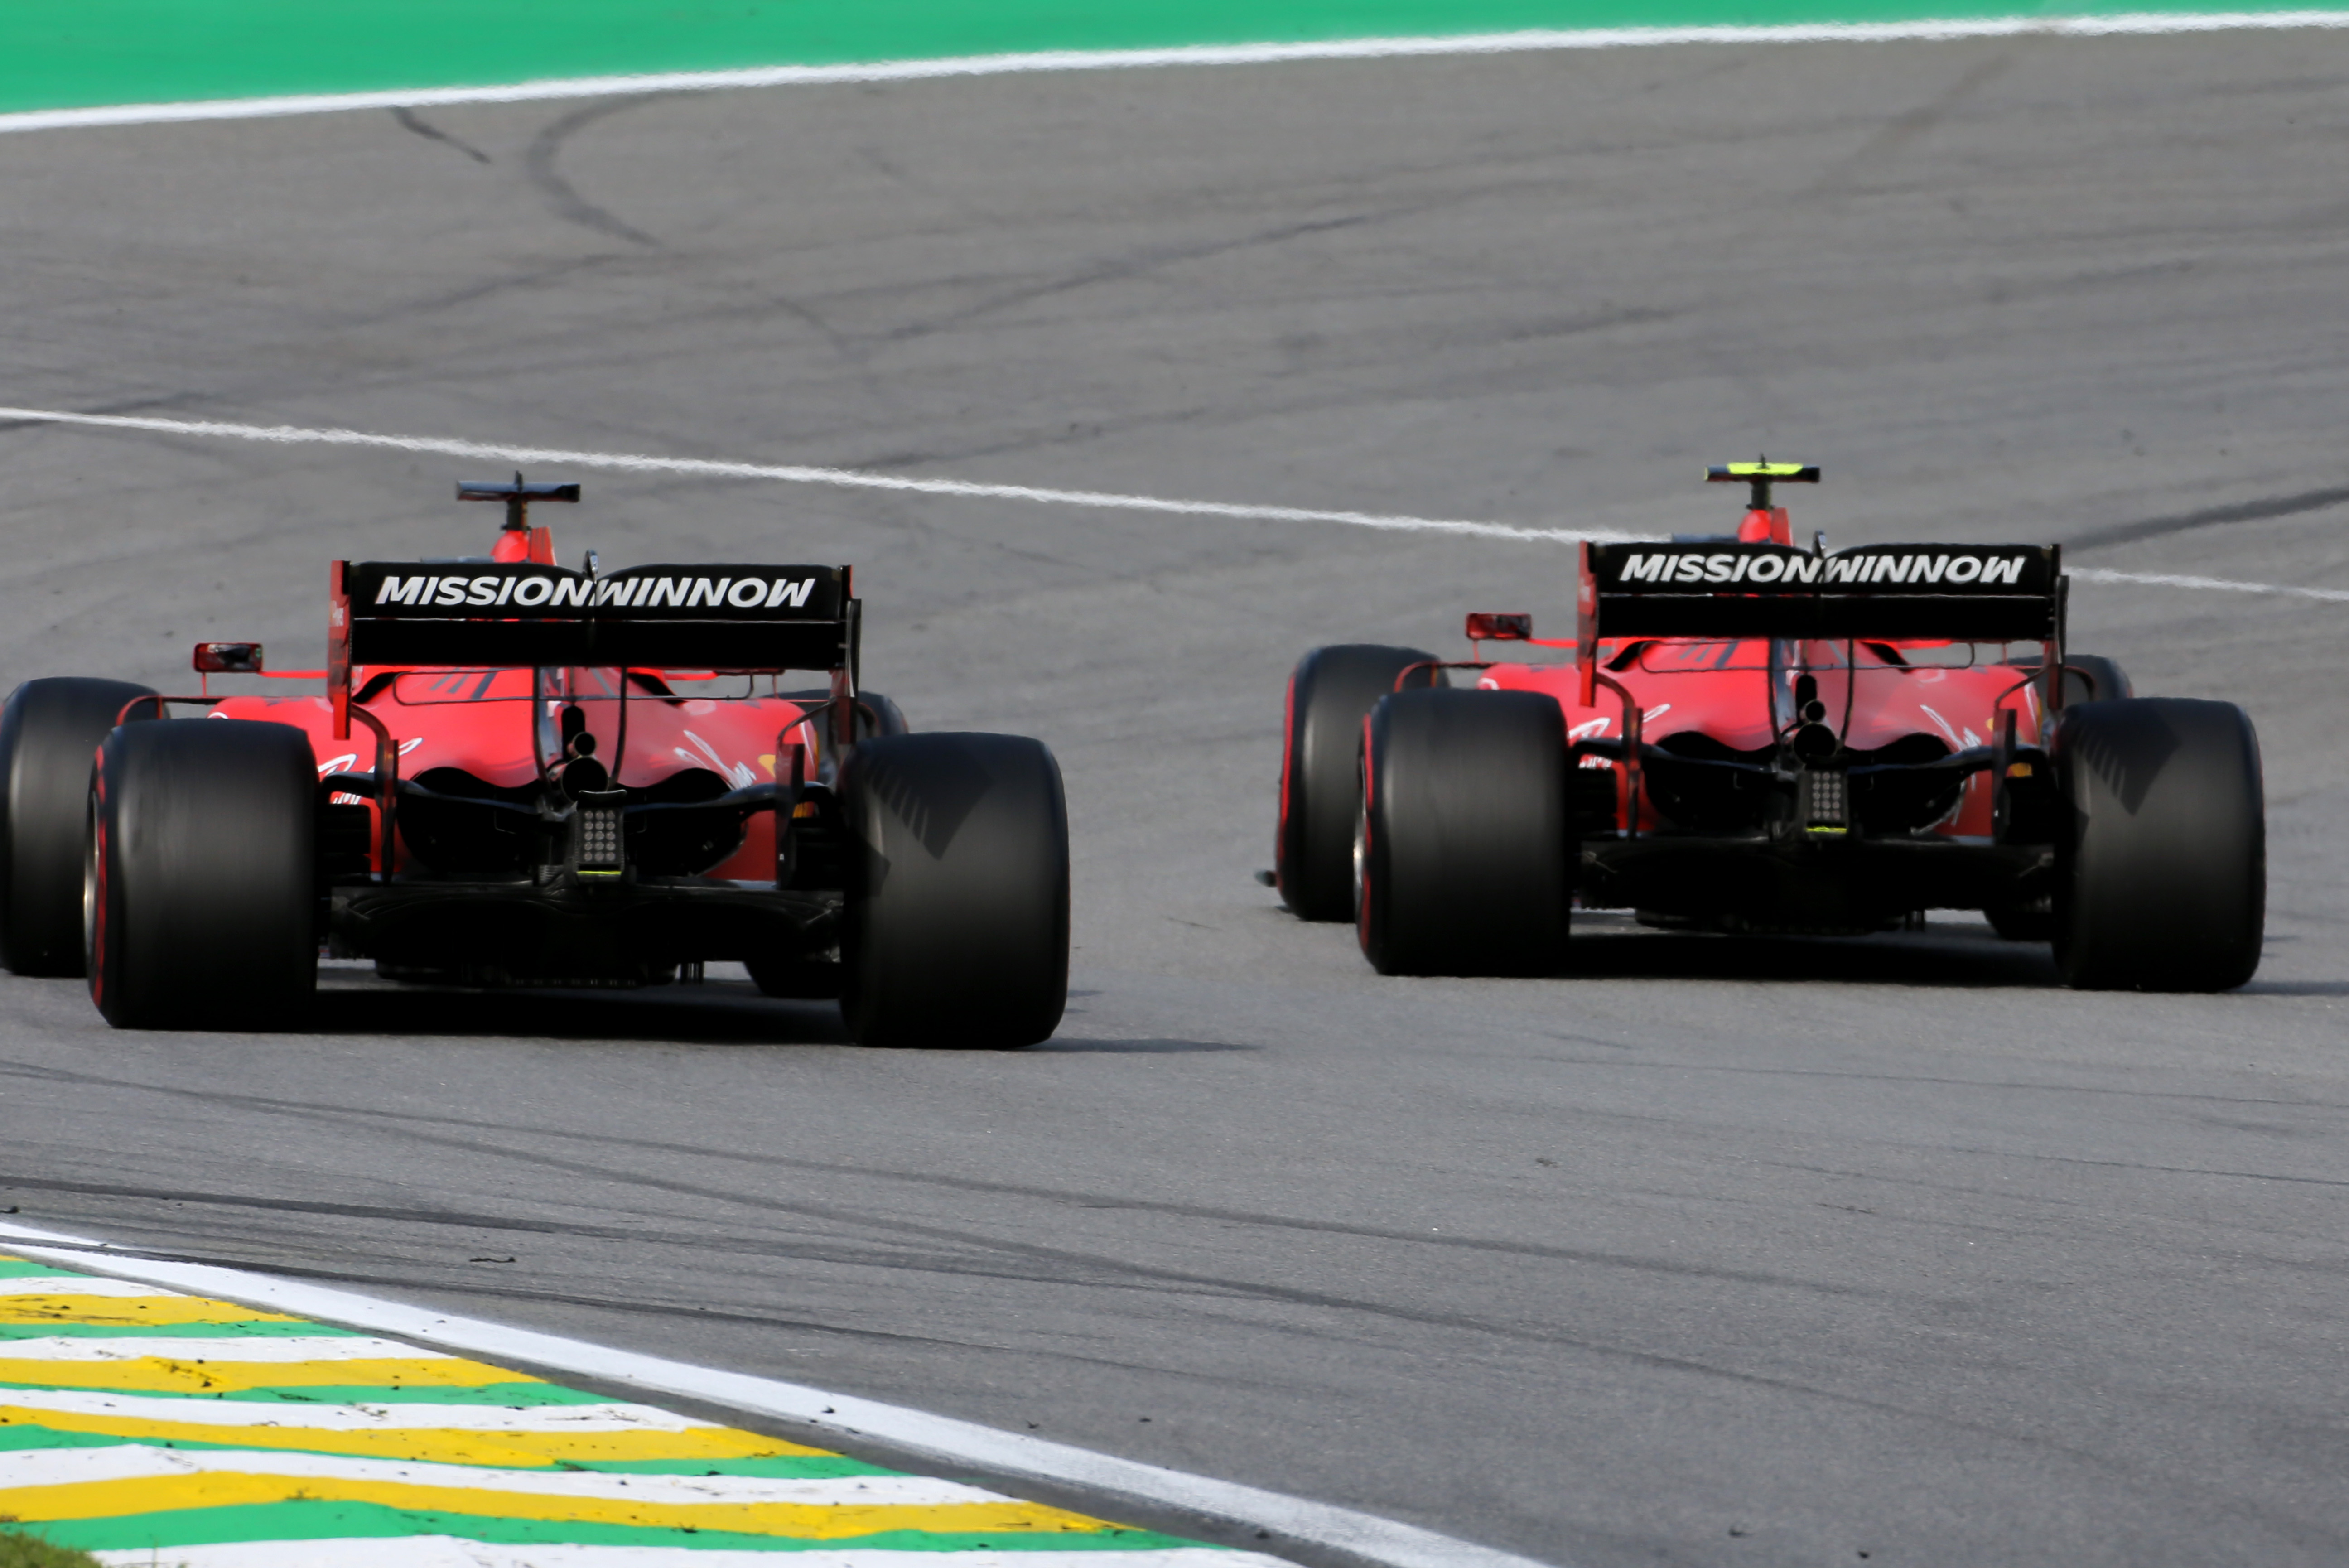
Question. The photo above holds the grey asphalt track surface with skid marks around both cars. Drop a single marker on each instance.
(1718, 1252)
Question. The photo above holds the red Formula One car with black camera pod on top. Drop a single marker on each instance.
(534, 776)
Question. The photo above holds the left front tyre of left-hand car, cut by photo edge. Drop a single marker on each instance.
(48, 734)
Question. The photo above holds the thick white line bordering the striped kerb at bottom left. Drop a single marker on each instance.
(938, 1438)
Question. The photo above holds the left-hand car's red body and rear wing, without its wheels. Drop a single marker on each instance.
(544, 776)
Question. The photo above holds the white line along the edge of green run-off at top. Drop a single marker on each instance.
(1157, 60)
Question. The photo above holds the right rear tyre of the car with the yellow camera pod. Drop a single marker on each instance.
(2162, 872)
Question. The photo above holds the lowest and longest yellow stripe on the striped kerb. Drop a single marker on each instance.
(790, 1520)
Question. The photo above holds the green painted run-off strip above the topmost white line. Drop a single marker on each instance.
(88, 53)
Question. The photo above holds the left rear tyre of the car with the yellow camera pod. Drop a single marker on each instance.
(1465, 844)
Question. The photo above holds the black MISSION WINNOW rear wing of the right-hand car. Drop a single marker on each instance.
(1965, 593)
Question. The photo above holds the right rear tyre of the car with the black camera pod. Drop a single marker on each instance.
(955, 928)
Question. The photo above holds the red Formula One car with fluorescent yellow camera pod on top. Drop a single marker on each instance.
(1761, 738)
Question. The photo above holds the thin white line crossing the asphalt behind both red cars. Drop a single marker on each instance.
(302, 435)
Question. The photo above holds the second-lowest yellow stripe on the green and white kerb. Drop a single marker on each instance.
(433, 1445)
